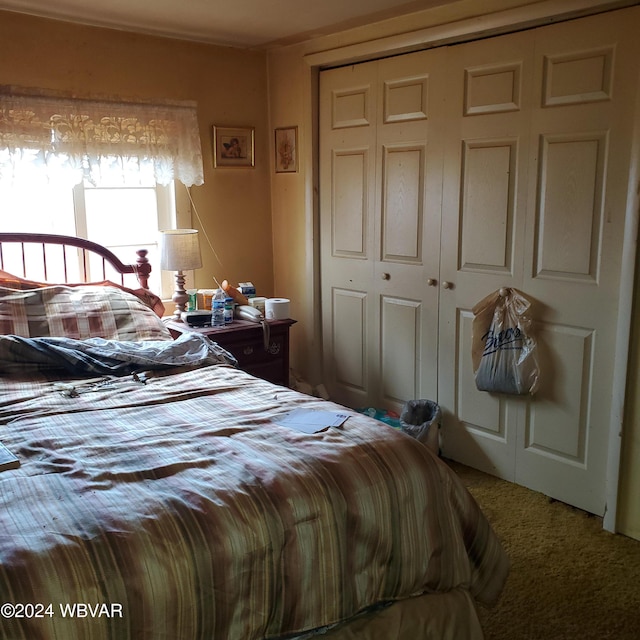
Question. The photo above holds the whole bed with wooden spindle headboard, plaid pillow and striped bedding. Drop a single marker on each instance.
(161, 494)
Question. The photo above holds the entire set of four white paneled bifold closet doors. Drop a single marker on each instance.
(449, 173)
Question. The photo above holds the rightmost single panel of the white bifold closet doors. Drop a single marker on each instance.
(586, 83)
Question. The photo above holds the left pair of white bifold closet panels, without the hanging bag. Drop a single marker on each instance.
(381, 180)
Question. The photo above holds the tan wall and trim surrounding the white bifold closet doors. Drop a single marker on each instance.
(291, 99)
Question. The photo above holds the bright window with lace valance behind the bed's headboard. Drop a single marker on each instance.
(51, 141)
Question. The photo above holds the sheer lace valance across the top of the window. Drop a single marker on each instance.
(63, 138)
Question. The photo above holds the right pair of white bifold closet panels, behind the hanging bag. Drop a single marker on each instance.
(545, 181)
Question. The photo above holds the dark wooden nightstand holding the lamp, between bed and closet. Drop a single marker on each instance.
(245, 341)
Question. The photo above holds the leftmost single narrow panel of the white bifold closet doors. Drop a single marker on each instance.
(348, 118)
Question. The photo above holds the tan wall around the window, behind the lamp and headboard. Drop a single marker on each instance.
(230, 87)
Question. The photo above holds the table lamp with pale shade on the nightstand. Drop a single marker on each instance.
(180, 251)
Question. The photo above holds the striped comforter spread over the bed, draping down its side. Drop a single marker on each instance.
(178, 508)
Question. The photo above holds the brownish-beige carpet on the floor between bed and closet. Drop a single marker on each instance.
(569, 578)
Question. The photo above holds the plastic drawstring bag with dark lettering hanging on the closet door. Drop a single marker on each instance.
(504, 349)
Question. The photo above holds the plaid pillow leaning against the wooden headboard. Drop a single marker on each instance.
(79, 312)
